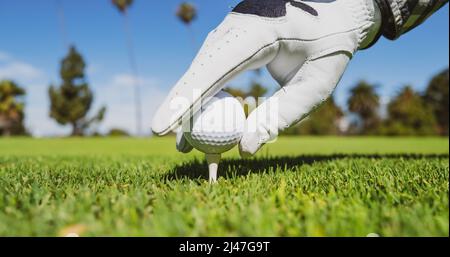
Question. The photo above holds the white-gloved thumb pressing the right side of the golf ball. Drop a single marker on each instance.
(310, 87)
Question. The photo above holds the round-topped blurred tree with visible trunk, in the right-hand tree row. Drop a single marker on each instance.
(365, 102)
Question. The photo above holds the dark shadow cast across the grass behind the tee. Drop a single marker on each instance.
(197, 169)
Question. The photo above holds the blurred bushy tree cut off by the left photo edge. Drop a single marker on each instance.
(11, 108)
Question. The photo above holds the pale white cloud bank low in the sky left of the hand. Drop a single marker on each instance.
(116, 93)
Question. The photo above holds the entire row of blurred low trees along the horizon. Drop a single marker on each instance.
(409, 113)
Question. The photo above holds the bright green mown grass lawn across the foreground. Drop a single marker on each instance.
(299, 186)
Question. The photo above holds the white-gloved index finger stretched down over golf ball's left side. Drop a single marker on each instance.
(238, 44)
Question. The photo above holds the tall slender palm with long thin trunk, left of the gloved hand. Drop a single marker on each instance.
(122, 6)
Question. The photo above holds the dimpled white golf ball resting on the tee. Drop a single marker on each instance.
(218, 126)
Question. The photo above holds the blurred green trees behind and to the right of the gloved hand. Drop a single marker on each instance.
(408, 113)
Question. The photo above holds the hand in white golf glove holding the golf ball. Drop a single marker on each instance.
(306, 46)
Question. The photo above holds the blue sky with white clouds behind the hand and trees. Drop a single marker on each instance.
(34, 37)
